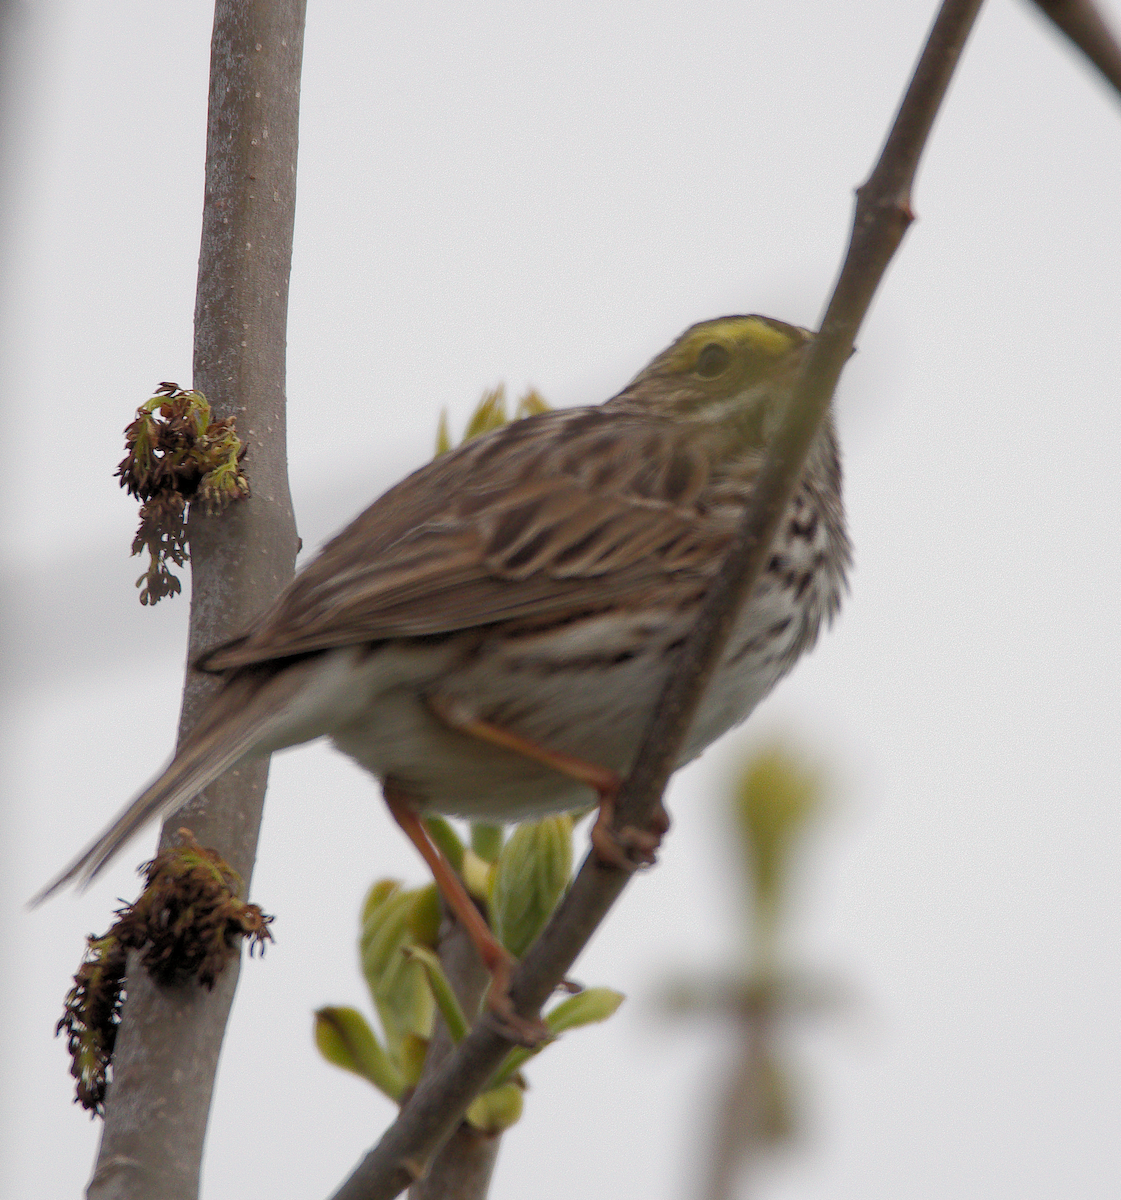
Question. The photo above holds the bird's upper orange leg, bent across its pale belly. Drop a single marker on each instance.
(626, 849)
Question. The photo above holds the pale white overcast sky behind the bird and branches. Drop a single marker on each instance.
(549, 195)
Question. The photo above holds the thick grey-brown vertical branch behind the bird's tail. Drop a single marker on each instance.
(167, 1049)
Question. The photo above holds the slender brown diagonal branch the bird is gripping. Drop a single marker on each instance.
(882, 218)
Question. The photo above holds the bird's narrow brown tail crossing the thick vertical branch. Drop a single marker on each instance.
(232, 727)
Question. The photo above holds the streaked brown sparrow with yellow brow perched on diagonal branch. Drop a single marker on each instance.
(489, 639)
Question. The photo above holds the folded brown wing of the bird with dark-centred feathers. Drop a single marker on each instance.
(568, 512)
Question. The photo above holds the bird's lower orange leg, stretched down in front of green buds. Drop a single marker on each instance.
(495, 957)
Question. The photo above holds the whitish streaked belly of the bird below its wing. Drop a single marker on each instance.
(580, 689)
